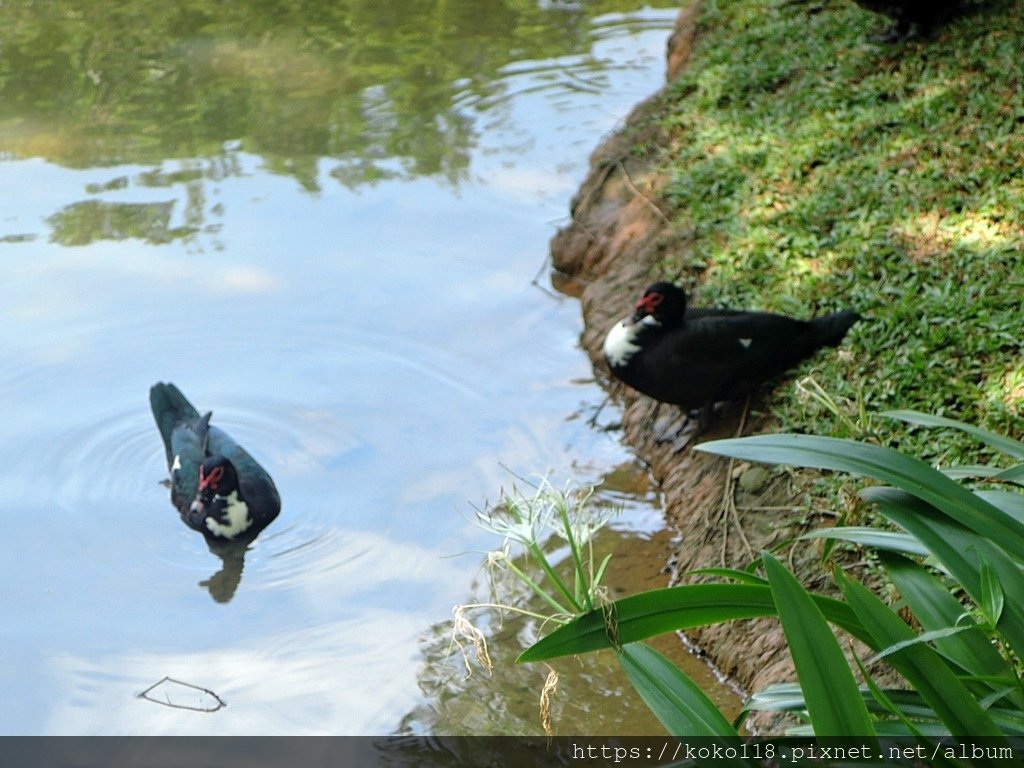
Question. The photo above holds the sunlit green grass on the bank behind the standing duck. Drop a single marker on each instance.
(821, 170)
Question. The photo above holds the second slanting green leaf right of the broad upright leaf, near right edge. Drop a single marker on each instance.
(936, 609)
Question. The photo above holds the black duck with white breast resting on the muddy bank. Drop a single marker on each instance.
(697, 358)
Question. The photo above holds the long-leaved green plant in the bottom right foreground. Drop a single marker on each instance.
(959, 660)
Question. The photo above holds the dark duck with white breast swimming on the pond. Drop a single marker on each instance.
(218, 488)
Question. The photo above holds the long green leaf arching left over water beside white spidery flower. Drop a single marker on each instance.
(655, 613)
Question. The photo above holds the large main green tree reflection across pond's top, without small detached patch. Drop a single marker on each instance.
(379, 88)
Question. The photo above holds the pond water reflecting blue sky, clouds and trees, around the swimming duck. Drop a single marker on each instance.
(326, 224)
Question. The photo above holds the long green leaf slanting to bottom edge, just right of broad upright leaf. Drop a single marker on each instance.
(926, 671)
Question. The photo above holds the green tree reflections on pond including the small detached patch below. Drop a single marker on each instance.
(354, 95)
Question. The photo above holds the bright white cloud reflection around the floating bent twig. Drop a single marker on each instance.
(294, 682)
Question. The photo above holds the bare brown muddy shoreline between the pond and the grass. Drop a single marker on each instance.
(724, 514)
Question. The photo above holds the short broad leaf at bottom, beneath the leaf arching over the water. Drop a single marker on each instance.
(678, 703)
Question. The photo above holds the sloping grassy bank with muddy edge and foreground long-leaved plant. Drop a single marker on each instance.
(816, 170)
